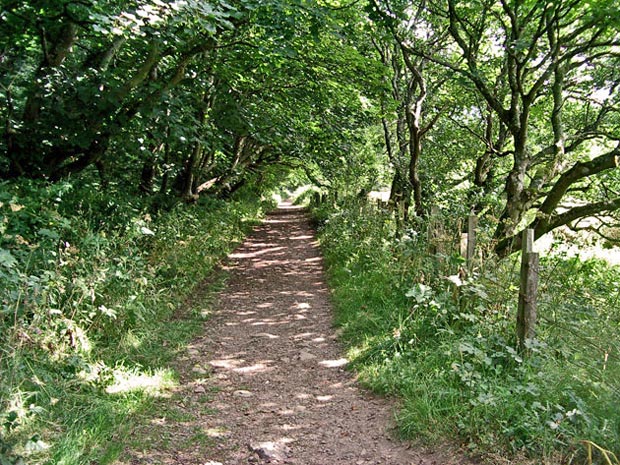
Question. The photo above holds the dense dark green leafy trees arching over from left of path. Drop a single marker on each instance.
(185, 96)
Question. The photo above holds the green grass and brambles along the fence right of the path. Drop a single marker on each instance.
(445, 342)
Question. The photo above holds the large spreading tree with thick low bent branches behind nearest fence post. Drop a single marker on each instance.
(531, 63)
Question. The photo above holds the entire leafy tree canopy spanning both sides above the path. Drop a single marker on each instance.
(508, 107)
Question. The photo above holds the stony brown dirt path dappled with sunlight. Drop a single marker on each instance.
(267, 381)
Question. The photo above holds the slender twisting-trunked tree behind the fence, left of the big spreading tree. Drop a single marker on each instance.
(410, 90)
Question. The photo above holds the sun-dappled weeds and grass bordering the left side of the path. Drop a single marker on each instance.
(91, 281)
